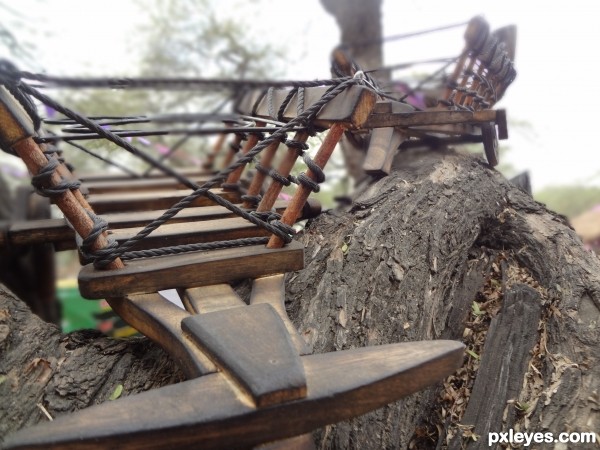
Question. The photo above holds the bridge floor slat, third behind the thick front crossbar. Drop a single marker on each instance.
(146, 201)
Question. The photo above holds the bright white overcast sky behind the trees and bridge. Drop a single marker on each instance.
(555, 92)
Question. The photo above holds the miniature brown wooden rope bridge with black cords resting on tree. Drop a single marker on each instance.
(251, 377)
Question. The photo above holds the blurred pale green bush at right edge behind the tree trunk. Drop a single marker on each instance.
(569, 200)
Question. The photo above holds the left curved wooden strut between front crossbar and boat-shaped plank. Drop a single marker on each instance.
(160, 320)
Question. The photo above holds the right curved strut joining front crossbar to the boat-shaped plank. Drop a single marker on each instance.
(271, 290)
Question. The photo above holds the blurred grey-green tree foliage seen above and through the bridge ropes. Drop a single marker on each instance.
(179, 39)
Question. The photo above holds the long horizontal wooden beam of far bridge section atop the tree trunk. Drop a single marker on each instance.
(418, 118)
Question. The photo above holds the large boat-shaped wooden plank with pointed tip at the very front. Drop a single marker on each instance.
(206, 413)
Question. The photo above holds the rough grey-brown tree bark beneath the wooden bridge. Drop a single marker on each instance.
(443, 248)
